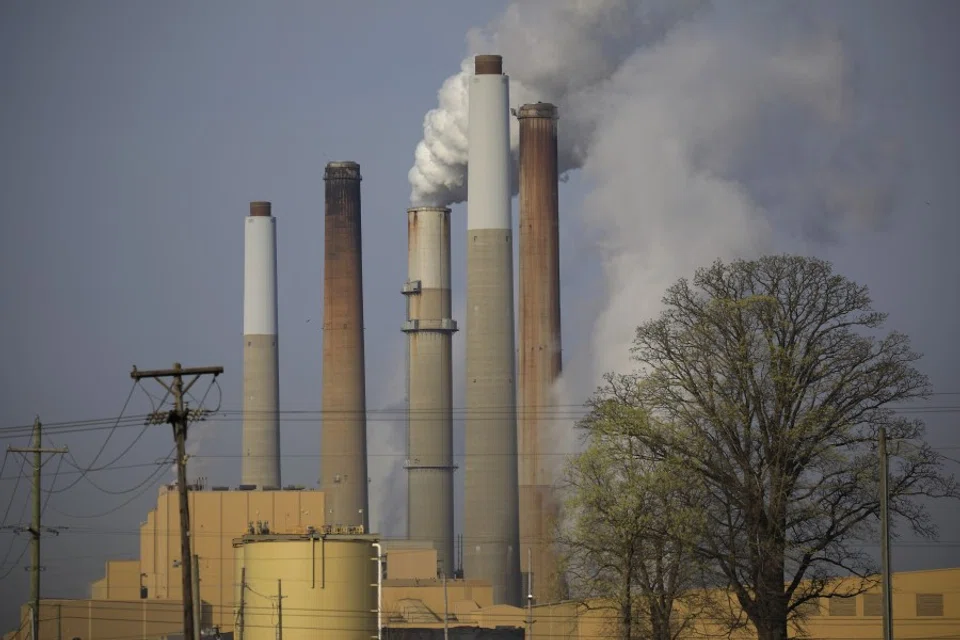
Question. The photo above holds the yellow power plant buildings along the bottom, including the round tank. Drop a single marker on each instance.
(269, 561)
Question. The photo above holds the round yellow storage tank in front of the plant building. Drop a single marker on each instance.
(310, 586)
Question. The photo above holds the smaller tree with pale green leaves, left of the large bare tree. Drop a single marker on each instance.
(630, 535)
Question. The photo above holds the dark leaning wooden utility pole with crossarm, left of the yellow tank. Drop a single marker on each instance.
(179, 418)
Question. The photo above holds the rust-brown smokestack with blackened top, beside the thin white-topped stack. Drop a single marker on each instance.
(343, 459)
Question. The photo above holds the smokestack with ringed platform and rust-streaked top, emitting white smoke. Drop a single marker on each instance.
(429, 330)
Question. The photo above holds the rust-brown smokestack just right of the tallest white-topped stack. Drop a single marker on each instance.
(539, 349)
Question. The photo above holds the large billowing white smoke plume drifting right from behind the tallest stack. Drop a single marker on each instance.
(703, 131)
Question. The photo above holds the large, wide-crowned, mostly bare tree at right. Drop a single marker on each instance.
(768, 380)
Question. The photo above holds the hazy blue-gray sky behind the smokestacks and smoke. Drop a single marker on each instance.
(133, 135)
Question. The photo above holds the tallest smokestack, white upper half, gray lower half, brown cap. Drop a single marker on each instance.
(491, 528)
